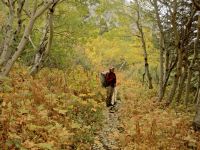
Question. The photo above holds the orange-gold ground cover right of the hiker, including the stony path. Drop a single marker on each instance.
(141, 123)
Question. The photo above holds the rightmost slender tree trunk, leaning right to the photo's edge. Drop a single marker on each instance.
(192, 63)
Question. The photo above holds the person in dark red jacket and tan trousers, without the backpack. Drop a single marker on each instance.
(111, 84)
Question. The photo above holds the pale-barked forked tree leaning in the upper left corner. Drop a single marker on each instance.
(37, 10)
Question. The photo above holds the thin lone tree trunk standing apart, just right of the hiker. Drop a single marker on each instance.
(139, 26)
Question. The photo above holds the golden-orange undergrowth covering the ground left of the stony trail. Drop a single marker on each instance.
(54, 110)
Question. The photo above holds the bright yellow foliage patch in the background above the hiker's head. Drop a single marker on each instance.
(102, 50)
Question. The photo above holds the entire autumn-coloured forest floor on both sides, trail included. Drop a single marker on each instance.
(58, 112)
